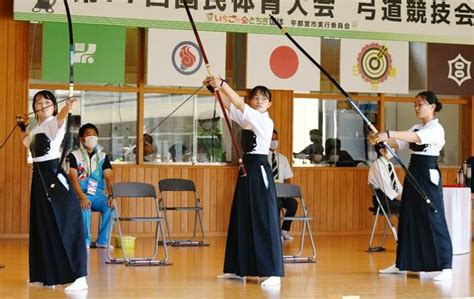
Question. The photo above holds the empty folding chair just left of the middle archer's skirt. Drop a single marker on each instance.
(182, 185)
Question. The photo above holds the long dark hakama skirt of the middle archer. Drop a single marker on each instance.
(253, 240)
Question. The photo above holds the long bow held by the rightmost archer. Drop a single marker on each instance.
(409, 175)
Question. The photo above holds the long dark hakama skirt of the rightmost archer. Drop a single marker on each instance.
(424, 243)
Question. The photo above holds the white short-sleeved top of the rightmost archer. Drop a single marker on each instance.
(431, 135)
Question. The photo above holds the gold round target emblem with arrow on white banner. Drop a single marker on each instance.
(374, 64)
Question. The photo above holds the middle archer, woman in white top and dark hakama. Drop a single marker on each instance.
(255, 194)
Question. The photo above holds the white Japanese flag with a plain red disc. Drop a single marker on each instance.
(275, 62)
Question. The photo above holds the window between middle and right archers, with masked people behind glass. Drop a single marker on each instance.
(330, 132)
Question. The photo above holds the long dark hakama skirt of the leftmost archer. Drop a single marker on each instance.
(57, 249)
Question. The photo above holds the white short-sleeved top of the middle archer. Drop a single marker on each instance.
(260, 123)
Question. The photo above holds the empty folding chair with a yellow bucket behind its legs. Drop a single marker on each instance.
(137, 191)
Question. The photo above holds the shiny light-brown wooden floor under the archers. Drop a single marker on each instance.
(343, 268)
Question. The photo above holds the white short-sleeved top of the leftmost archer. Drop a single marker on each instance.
(56, 135)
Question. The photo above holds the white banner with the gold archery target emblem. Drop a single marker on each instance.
(374, 66)
